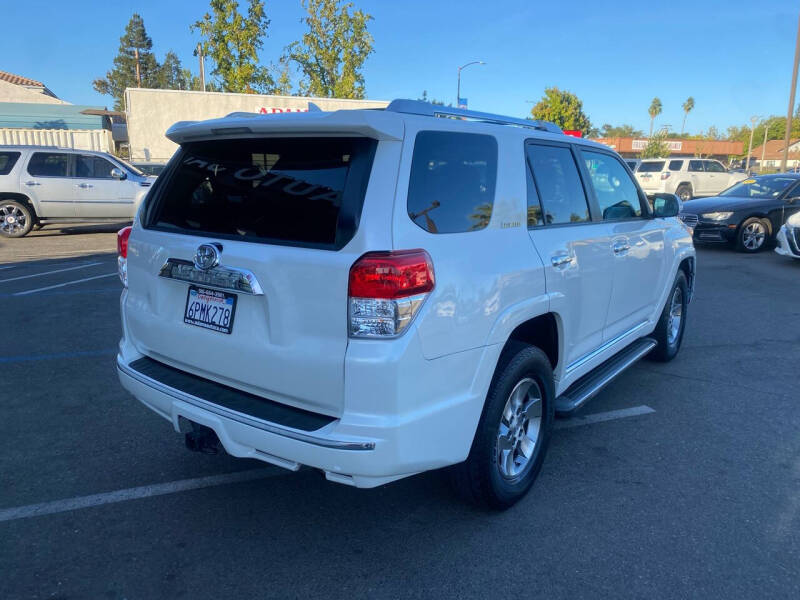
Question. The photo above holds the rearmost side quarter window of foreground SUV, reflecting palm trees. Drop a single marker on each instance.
(452, 182)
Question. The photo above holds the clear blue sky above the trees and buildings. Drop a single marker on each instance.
(734, 57)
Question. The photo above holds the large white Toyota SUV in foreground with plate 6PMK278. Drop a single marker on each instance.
(376, 293)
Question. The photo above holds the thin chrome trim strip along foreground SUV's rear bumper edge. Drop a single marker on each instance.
(241, 418)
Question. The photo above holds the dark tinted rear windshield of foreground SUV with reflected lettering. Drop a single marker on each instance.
(289, 191)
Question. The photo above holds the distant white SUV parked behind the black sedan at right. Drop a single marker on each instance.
(686, 177)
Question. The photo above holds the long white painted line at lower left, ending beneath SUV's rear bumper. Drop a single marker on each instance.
(145, 491)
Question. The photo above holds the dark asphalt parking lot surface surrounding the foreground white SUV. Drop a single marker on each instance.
(679, 480)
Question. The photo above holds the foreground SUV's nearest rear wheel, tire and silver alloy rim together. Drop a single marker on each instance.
(514, 431)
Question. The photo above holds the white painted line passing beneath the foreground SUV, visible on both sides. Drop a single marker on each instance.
(172, 487)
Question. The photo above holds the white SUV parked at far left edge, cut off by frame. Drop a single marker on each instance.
(41, 185)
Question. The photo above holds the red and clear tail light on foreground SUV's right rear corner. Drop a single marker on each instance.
(386, 290)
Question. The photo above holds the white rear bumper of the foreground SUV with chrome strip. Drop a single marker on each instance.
(356, 449)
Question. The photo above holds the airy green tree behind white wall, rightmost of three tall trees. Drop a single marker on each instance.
(331, 54)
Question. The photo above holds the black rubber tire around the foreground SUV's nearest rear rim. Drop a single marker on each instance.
(480, 479)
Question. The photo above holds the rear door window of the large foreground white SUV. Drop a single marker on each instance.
(558, 183)
